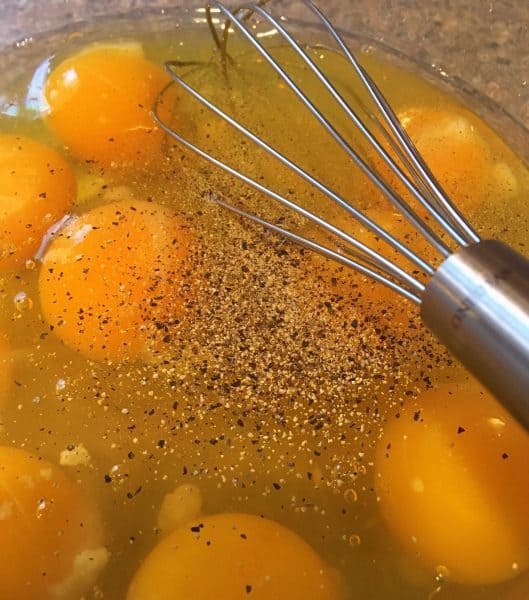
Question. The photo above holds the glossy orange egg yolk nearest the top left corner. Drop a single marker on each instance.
(99, 105)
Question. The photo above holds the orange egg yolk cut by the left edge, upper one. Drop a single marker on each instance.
(37, 187)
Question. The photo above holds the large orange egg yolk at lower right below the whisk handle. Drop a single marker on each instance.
(453, 485)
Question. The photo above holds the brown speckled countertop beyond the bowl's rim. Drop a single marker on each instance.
(484, 42)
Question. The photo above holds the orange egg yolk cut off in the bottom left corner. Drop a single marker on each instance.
(50, 535)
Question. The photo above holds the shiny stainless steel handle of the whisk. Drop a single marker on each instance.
(477, 304)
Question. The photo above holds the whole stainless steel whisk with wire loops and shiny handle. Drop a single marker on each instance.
(476, 302)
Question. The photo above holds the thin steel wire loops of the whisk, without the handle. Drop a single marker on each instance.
(373, 262)
